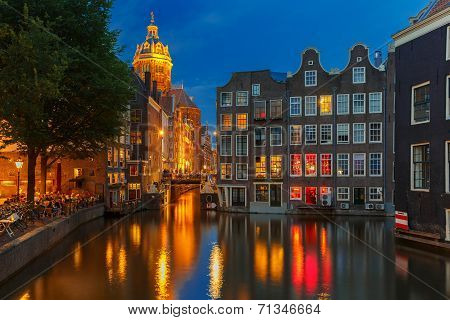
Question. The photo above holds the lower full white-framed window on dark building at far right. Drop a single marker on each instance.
(421, 167)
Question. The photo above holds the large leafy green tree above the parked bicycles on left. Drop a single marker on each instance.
(75, 104)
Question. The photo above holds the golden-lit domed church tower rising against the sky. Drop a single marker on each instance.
(154, 57)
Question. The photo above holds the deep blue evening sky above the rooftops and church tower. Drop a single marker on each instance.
(210, 39)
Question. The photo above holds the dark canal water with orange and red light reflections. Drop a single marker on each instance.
(183, 253)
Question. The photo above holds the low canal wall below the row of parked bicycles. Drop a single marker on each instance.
(19, 252)
